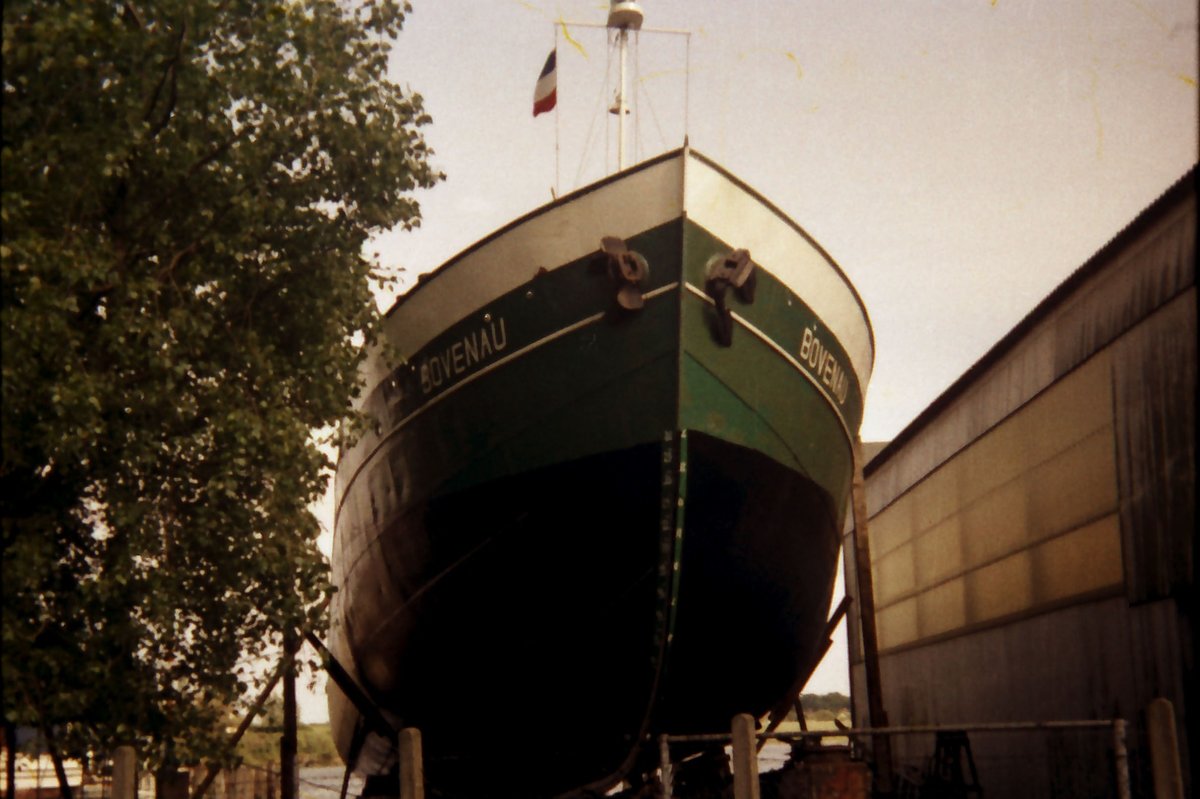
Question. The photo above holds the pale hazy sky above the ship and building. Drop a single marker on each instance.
(958, 159)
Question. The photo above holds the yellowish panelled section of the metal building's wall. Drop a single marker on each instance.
(1004, 526)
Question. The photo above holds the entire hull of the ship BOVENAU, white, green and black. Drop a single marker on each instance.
(563, 494)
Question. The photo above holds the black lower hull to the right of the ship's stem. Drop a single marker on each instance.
(759, 564)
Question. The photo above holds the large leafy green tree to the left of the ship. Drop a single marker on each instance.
(188, 189)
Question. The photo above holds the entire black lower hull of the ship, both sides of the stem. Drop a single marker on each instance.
(518, 624)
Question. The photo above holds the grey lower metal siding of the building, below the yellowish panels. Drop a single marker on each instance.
(1095, 660)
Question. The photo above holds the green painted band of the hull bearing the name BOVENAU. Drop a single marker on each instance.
(585, 358)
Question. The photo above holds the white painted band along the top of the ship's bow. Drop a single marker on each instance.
(626, 206)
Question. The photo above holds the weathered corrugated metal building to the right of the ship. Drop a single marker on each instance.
(1033, 532)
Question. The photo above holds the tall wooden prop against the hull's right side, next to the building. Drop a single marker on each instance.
(881, 746)
